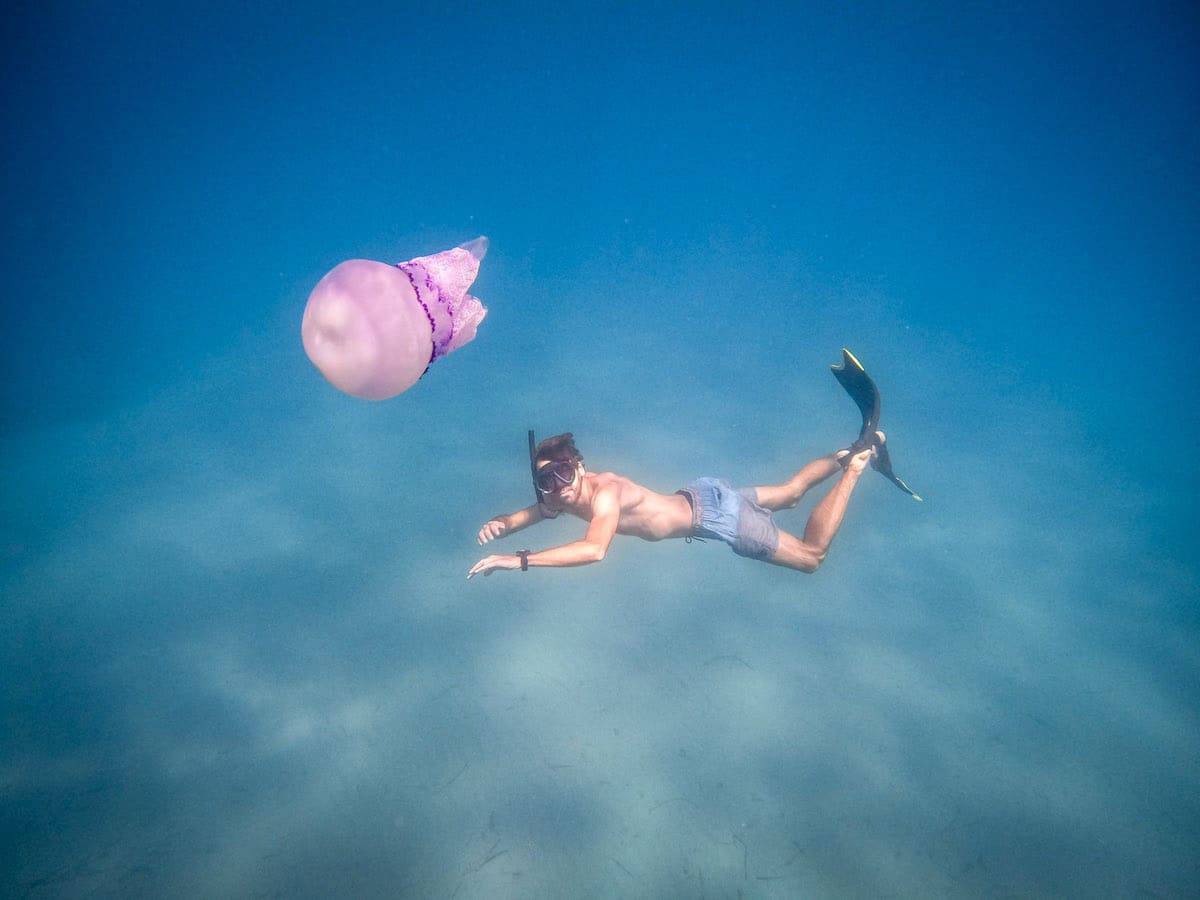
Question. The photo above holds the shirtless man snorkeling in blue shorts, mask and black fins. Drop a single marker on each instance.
(709, 508)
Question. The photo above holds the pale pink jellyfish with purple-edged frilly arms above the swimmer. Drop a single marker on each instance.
(374, 329)
